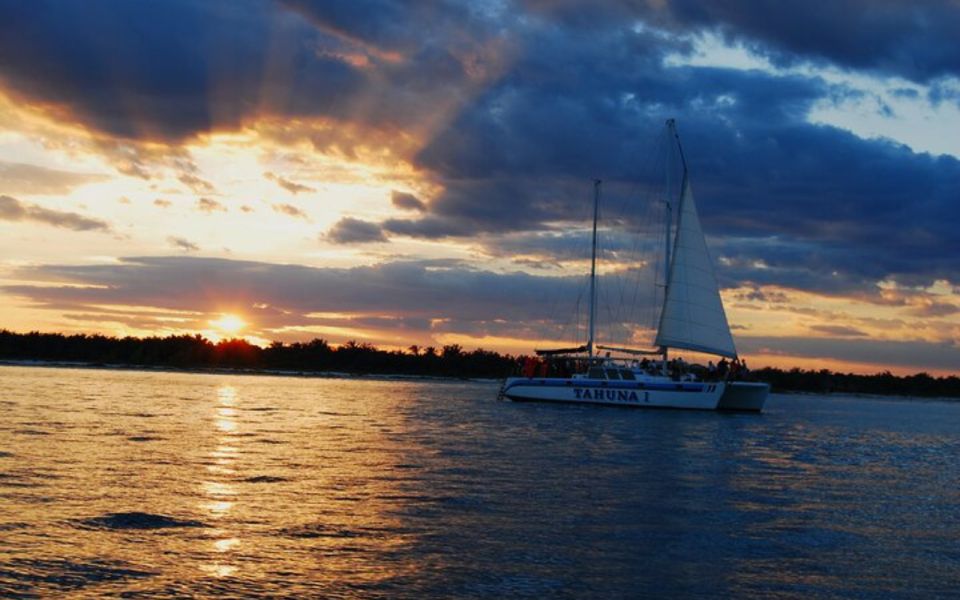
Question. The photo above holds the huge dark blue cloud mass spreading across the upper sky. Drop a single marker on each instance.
(507, 136)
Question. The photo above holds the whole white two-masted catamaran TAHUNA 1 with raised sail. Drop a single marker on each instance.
(692, 318)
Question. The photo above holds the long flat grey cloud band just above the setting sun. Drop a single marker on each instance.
(401, 289)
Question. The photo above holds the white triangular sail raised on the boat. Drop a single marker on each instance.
(693, 316)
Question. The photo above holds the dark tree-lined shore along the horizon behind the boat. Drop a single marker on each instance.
(195, 352)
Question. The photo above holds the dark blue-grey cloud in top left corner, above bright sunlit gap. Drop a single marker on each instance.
(170, 70)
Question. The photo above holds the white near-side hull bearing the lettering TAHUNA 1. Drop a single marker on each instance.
(681, 395)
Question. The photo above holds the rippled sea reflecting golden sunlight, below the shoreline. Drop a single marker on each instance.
(163, 484)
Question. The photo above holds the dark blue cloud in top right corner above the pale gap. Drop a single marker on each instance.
(916, 40)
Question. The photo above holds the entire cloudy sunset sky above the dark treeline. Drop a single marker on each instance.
(406, 173)
